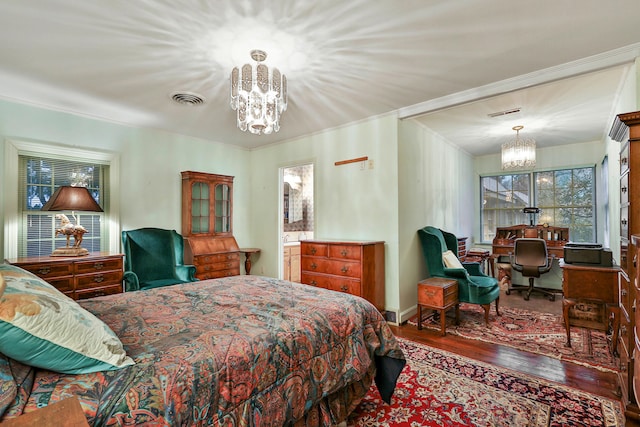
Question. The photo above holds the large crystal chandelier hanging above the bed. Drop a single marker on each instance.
(259, 97)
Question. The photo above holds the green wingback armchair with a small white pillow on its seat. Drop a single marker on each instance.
(474, 286)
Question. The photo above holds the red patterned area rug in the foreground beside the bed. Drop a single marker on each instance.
(438, 388)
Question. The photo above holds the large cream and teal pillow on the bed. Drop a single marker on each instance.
(42, 327)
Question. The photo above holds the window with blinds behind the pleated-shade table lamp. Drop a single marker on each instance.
(38, 179)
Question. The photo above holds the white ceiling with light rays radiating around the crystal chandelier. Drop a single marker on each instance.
(457, 61)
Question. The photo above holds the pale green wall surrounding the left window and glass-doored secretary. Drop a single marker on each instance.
(150, 164)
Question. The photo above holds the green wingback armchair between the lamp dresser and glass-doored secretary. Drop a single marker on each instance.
(154, 257)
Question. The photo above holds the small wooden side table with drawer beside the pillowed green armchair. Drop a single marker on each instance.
(438, 294)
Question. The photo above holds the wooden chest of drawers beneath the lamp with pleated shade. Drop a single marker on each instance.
(97, 274)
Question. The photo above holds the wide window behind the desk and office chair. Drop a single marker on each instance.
(566, 198)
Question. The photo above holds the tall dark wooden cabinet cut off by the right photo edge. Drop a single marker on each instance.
(626, 130)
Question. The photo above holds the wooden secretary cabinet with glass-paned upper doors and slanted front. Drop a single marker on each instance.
(207, 211)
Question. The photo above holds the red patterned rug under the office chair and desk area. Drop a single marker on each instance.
(535, 332)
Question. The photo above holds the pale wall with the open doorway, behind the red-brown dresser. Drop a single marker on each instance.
(351, 203)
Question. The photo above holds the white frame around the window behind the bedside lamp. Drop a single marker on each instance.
(10, 178)
